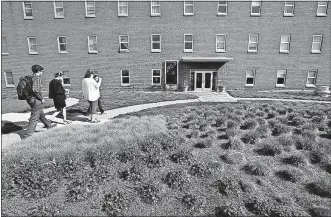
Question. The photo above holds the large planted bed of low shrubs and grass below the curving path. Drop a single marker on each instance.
(196, 159)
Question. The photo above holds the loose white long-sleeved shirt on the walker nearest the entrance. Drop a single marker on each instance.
(91, 89)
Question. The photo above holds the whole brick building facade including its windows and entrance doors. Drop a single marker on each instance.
(199, 44)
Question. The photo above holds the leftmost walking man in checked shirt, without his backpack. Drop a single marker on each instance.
(35, 101)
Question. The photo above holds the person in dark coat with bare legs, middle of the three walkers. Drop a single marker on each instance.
(57, 93)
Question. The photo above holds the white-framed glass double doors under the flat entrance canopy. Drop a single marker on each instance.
(203, 80)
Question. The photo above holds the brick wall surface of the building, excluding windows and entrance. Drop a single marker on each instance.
(172, 26)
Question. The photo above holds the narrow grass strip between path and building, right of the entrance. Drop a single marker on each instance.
(302, 95)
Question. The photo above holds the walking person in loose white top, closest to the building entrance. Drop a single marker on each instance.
(91, 93)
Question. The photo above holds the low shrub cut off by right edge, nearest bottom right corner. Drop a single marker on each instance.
(321, 188)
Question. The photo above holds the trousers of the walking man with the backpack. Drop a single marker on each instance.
(36, 114)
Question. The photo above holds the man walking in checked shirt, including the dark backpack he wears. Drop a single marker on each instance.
(32, 93)
